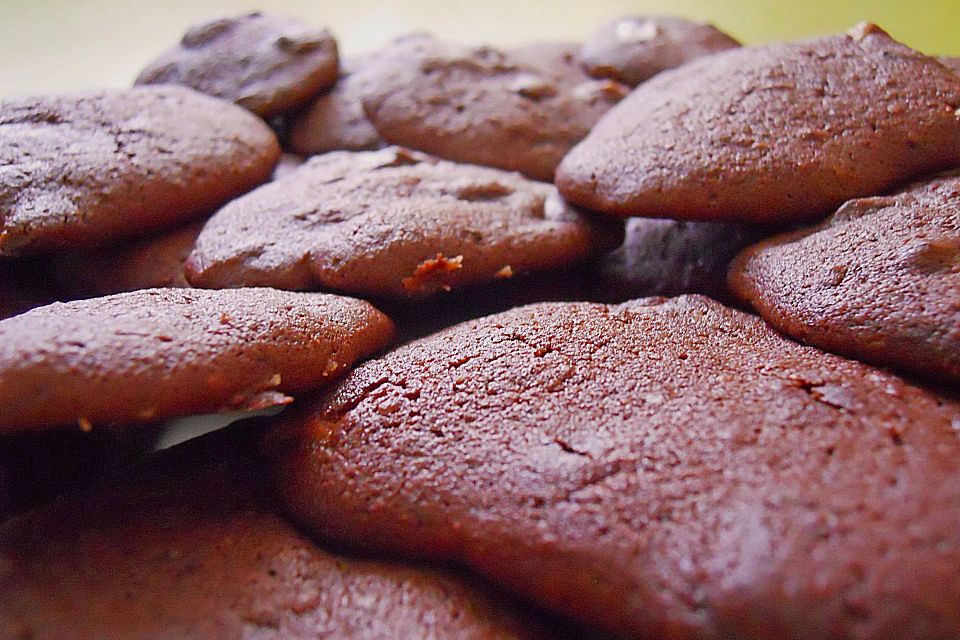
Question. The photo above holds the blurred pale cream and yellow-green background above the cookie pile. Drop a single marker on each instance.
(56, 45)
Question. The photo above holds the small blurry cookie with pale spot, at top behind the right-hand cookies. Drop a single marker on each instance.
(632, 49)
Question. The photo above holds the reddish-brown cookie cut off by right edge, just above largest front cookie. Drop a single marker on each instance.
(878, 281)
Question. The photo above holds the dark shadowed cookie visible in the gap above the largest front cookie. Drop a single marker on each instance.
(670, 257)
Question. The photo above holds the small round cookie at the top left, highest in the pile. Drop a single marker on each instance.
(269, 64)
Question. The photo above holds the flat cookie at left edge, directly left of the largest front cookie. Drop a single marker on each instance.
(158, 353)
